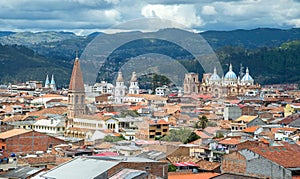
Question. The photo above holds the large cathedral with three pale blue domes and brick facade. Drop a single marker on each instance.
(213, 84)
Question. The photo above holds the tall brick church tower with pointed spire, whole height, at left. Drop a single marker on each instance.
(76, 93)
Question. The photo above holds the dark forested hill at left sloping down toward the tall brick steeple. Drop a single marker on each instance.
(19, 64)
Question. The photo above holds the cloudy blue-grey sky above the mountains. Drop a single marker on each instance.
(85, 16)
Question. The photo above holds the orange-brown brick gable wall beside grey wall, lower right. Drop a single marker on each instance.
(233, 163)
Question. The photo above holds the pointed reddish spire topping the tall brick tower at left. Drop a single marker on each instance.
(76, 82)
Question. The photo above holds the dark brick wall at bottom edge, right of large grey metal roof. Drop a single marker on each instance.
(158, 169)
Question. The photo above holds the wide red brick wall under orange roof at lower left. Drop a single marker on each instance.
(30, 142)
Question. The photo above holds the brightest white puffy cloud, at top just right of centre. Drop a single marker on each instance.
(183, 14)
